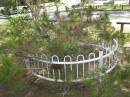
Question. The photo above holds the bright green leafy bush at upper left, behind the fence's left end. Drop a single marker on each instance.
(22, 37)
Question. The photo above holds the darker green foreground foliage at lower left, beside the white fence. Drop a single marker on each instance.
(11, 75)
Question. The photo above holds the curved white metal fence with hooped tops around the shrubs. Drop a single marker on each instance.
(71, 69)
